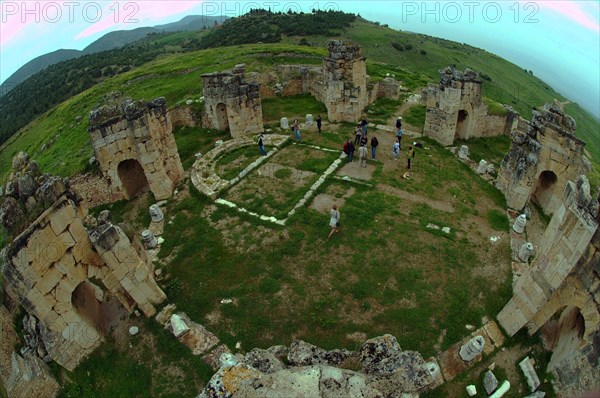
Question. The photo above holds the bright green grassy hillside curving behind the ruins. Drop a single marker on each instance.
(415, 59)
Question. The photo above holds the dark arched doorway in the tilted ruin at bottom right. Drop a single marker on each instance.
(563, 334)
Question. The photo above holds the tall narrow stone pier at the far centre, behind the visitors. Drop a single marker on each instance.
(345, 80)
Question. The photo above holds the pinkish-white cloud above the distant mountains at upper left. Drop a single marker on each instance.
(136, 13)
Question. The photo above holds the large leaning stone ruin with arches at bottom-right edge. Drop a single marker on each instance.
(560, 292)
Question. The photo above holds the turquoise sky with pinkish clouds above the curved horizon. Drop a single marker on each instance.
(558, 40)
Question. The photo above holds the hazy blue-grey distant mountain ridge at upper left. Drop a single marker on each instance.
(109, 41)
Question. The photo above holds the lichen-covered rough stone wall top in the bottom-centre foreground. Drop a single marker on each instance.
(305, 370)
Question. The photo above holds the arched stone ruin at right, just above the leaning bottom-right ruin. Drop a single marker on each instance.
(543, 156)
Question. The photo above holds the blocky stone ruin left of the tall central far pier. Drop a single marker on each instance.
(232, 103)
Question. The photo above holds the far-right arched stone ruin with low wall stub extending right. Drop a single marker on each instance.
(456, 110)
